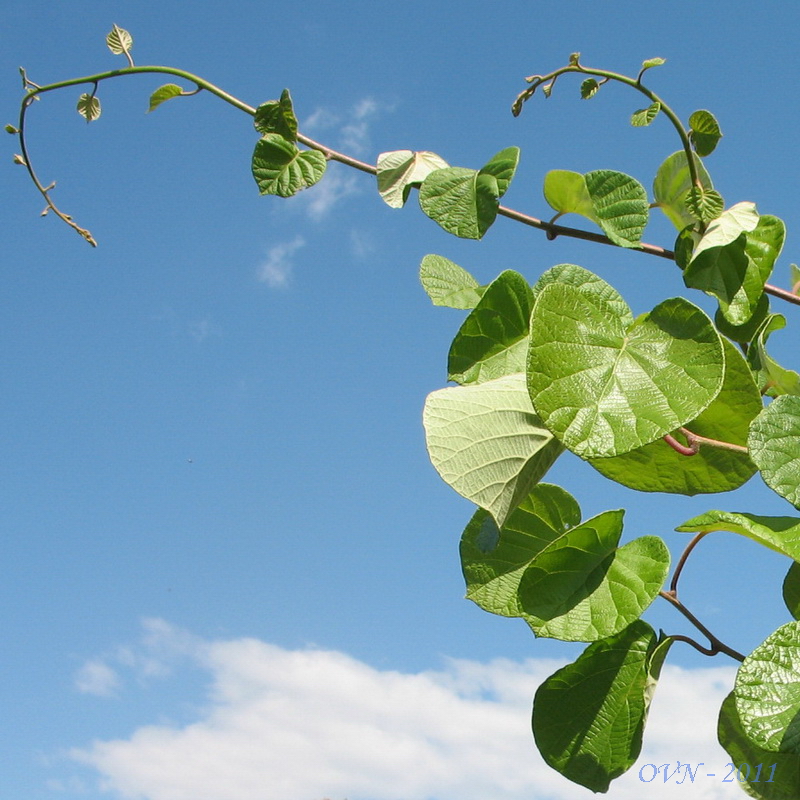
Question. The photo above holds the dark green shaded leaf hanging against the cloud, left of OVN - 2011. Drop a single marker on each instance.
(588, 717)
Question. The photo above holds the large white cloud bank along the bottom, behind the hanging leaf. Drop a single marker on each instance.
(313, 724)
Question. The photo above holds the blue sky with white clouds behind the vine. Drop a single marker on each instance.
(230, 572)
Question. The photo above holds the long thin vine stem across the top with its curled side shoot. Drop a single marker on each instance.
(549, 228)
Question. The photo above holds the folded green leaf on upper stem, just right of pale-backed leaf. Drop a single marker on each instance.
(465, 201)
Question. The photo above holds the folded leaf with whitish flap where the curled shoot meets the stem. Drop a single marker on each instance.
(735, 266)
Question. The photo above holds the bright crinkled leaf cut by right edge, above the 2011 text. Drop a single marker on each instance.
(767, 692)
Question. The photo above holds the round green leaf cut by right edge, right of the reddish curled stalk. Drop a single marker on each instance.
(775, 446)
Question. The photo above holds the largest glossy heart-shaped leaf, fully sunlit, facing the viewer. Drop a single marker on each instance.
(605, 387)
